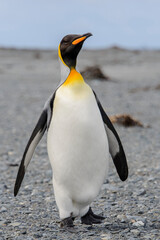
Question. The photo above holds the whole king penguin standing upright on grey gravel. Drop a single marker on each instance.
(79, 140)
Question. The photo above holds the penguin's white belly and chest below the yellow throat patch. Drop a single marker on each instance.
(78, 150)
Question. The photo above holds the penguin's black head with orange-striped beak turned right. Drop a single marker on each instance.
(69, 48)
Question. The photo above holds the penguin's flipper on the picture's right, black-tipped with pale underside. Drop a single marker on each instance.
(115, 146)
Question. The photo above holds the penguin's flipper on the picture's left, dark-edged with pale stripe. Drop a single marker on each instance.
(29, 150)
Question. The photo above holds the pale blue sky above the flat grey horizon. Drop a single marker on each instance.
(42, 23)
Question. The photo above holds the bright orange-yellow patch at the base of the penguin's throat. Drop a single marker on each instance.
(73, 77)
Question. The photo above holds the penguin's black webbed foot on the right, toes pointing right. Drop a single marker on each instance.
(91, 218)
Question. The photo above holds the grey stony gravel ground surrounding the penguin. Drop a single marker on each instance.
(132, 208)
